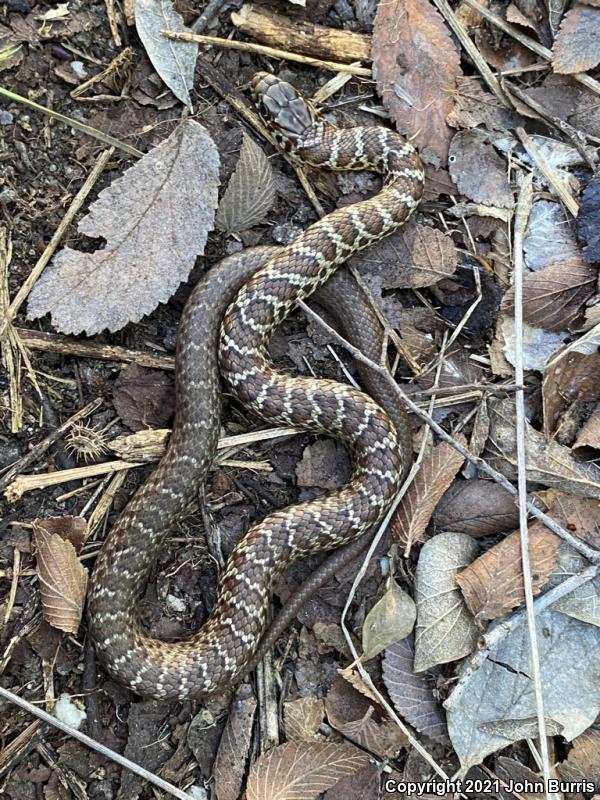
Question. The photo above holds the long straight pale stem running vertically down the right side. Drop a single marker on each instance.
(521, 216)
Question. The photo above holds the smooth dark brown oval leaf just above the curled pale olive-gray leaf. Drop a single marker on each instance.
(477, 507)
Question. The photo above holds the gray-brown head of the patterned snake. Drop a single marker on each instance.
(288, 115)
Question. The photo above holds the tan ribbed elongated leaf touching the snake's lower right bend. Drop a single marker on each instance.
(438, 470)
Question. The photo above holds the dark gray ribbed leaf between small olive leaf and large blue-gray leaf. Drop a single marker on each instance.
(412, 694)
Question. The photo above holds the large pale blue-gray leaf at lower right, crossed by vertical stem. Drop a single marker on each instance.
(496, 703)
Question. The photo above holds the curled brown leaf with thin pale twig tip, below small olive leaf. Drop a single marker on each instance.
(357, 719)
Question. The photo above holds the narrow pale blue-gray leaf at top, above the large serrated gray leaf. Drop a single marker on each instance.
(174, 60)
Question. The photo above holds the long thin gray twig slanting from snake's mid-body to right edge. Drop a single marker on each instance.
(590, 553)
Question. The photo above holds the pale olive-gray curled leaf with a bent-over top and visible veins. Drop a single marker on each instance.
(445, 627)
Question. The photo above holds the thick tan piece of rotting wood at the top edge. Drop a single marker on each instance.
(300, 36)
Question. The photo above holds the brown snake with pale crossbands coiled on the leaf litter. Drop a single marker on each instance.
(225, 330)
